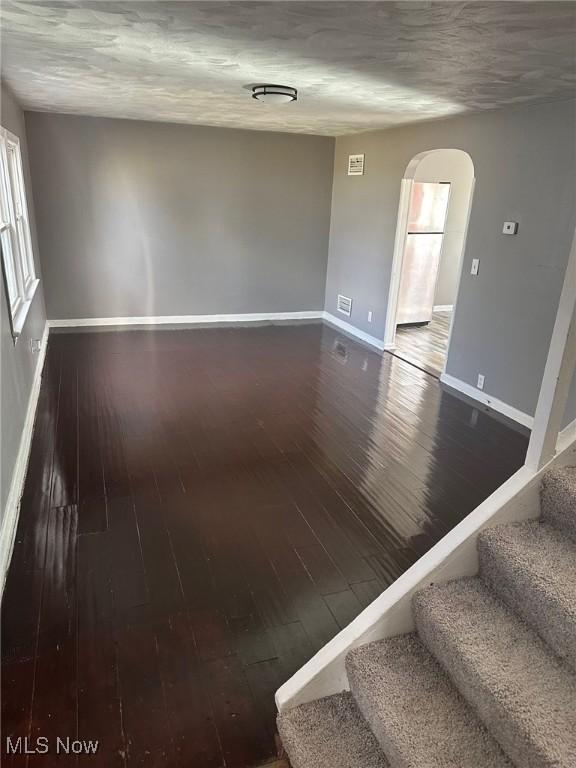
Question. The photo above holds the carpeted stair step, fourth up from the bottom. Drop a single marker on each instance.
(532, 568)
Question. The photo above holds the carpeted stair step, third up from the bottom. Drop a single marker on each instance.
(521, 690)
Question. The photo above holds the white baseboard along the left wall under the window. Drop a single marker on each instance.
(12, 508)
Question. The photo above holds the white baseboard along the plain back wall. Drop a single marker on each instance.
(255, 317)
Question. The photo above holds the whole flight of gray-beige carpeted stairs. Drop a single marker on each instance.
(488, 680)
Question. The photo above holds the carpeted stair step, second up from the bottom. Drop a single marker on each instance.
(413, 709)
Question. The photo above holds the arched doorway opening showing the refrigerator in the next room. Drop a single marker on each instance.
(435, 203)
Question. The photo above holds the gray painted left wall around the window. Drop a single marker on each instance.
(17, 362)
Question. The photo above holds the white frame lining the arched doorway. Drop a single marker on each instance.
(400, 245)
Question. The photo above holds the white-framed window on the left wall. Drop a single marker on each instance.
(17, 258)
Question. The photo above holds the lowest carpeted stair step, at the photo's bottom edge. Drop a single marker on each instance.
(329, 733)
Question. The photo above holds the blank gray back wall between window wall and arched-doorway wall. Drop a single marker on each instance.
(141, 218)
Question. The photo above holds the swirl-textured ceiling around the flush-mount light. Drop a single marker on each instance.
(357, 65)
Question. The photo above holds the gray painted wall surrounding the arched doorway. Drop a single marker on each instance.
(525, 162)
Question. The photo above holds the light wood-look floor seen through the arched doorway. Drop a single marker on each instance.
(425, 345)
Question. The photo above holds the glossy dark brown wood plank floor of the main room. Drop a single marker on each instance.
(204, 510)
